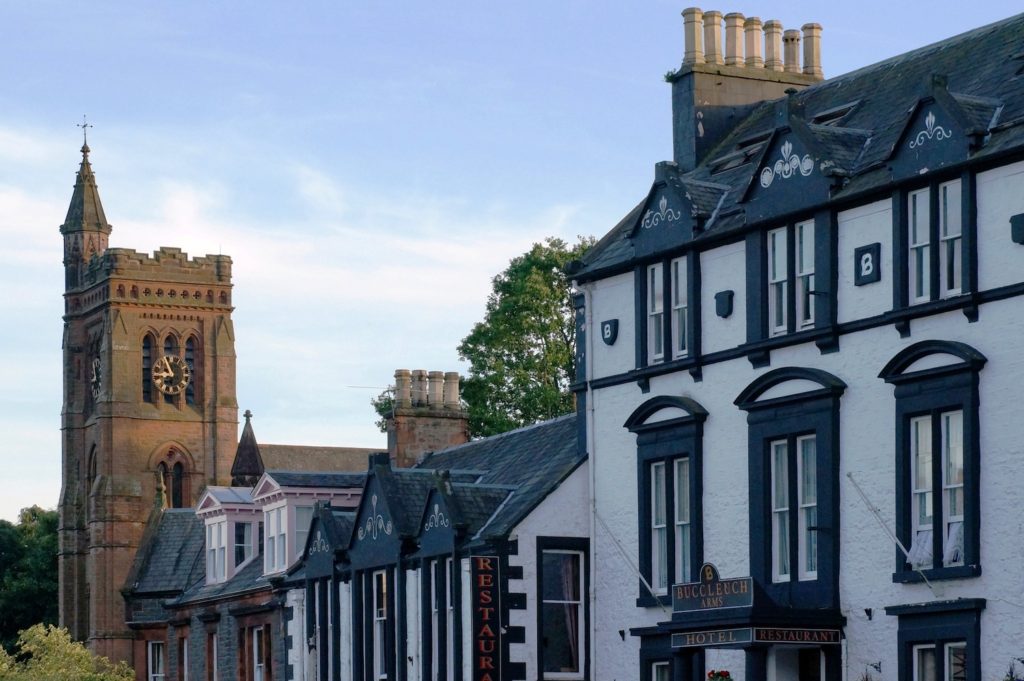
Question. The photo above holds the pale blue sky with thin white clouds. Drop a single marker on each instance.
(369, 166)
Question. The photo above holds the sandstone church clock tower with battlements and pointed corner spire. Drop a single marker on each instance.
(150, 413)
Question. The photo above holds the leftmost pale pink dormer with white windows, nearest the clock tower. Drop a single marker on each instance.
(232, 524)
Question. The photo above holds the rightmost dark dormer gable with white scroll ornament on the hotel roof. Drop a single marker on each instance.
(943, 130)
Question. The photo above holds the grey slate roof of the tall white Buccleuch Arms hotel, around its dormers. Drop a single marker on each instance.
(982, 70)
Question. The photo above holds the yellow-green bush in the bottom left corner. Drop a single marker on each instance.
(47, 653)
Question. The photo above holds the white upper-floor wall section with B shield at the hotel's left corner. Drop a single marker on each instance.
(615, 302)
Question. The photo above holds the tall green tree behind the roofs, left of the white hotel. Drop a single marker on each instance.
(523, 355)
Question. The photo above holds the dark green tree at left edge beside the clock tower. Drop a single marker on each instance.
(28, 573)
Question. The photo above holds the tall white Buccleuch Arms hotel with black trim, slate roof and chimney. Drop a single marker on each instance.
(801, 362)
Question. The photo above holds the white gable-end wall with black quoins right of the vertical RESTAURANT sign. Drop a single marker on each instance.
(564, 514)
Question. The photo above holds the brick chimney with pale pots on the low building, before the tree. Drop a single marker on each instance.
(428, 416)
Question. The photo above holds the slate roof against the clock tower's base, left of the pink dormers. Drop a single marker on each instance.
(172, 560)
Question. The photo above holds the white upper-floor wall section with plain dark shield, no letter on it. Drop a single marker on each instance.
(723, 270)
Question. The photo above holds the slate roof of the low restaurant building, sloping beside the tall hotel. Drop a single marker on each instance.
(531, 462)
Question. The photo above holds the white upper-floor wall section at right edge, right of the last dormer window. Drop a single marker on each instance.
(1001, 194)
